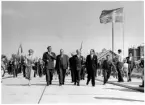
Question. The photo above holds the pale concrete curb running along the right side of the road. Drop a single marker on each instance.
(122, 85)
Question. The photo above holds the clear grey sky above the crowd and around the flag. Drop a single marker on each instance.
(65, 24)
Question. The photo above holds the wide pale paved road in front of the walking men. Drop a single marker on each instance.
(16, 91)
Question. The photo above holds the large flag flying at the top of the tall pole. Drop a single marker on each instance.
(115, 15)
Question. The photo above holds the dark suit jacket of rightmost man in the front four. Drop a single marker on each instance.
(91, 63)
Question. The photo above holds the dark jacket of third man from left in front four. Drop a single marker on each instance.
(77, 62)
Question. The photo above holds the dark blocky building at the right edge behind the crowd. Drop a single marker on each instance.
(137, 52)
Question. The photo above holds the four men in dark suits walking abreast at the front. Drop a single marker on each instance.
(75, 63)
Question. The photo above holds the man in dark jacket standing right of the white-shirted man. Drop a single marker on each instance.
(131, 64)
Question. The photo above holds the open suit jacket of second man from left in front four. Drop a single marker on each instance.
(62, 63)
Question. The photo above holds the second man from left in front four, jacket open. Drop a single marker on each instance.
(62, 62)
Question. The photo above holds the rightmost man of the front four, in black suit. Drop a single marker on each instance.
(91, 65)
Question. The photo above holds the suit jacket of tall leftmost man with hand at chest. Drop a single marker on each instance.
(49, 64)
